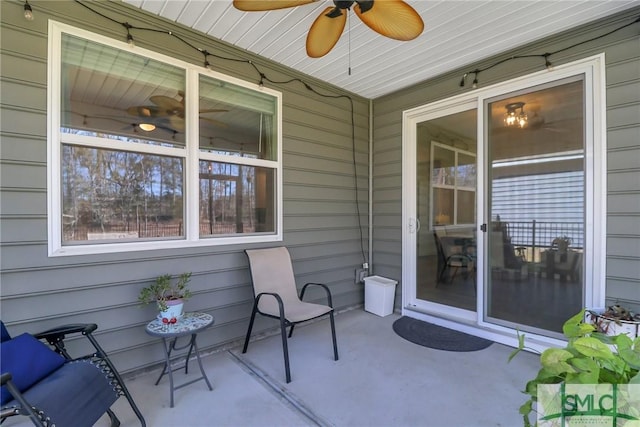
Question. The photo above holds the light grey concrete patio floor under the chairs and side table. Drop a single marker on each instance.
(380, 380)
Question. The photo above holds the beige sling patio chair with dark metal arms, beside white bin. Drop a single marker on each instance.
(276, 296)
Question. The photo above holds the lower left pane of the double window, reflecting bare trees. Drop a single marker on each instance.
(110, 195)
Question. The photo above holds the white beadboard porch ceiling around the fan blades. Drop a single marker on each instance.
(457, 34)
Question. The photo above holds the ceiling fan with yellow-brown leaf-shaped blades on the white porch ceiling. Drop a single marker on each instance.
(391, 18)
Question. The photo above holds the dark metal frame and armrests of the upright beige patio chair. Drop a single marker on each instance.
(285, 323)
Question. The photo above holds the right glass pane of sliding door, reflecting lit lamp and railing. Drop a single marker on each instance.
(536, 207)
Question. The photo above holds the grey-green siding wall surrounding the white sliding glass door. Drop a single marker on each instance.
(623, 141)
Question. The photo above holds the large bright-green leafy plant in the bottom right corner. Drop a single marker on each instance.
(590, 357)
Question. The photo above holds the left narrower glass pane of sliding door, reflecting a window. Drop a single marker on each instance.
(446, 201)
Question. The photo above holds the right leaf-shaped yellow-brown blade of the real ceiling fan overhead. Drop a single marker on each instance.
(392, 18)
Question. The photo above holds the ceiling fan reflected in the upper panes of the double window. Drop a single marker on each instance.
(166, 107)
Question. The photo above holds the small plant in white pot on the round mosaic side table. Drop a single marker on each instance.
(168, 294)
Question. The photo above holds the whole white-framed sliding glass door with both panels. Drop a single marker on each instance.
(504, 204)
